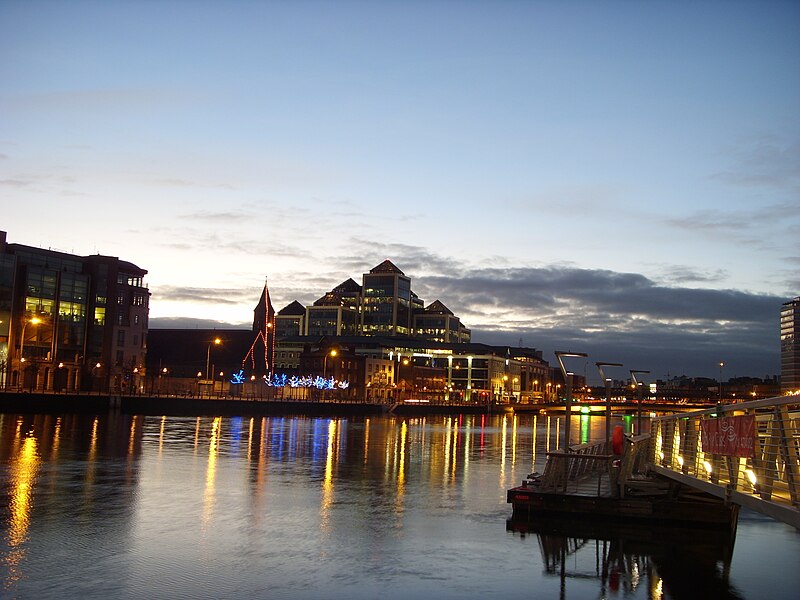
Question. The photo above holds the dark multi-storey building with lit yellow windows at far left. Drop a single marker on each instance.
(70, 323)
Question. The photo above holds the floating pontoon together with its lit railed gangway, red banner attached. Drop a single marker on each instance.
(743, 454)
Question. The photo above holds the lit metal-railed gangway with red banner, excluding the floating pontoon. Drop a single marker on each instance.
(745, 452)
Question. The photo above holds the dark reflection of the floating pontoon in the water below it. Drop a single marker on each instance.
(667, 561)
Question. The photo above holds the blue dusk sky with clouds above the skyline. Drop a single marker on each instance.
(617, 178)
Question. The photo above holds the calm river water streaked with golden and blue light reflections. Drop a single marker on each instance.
(119, 506)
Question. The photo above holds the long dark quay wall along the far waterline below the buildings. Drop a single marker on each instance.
(33, 403)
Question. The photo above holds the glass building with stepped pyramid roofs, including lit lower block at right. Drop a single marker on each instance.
(402, 348)
